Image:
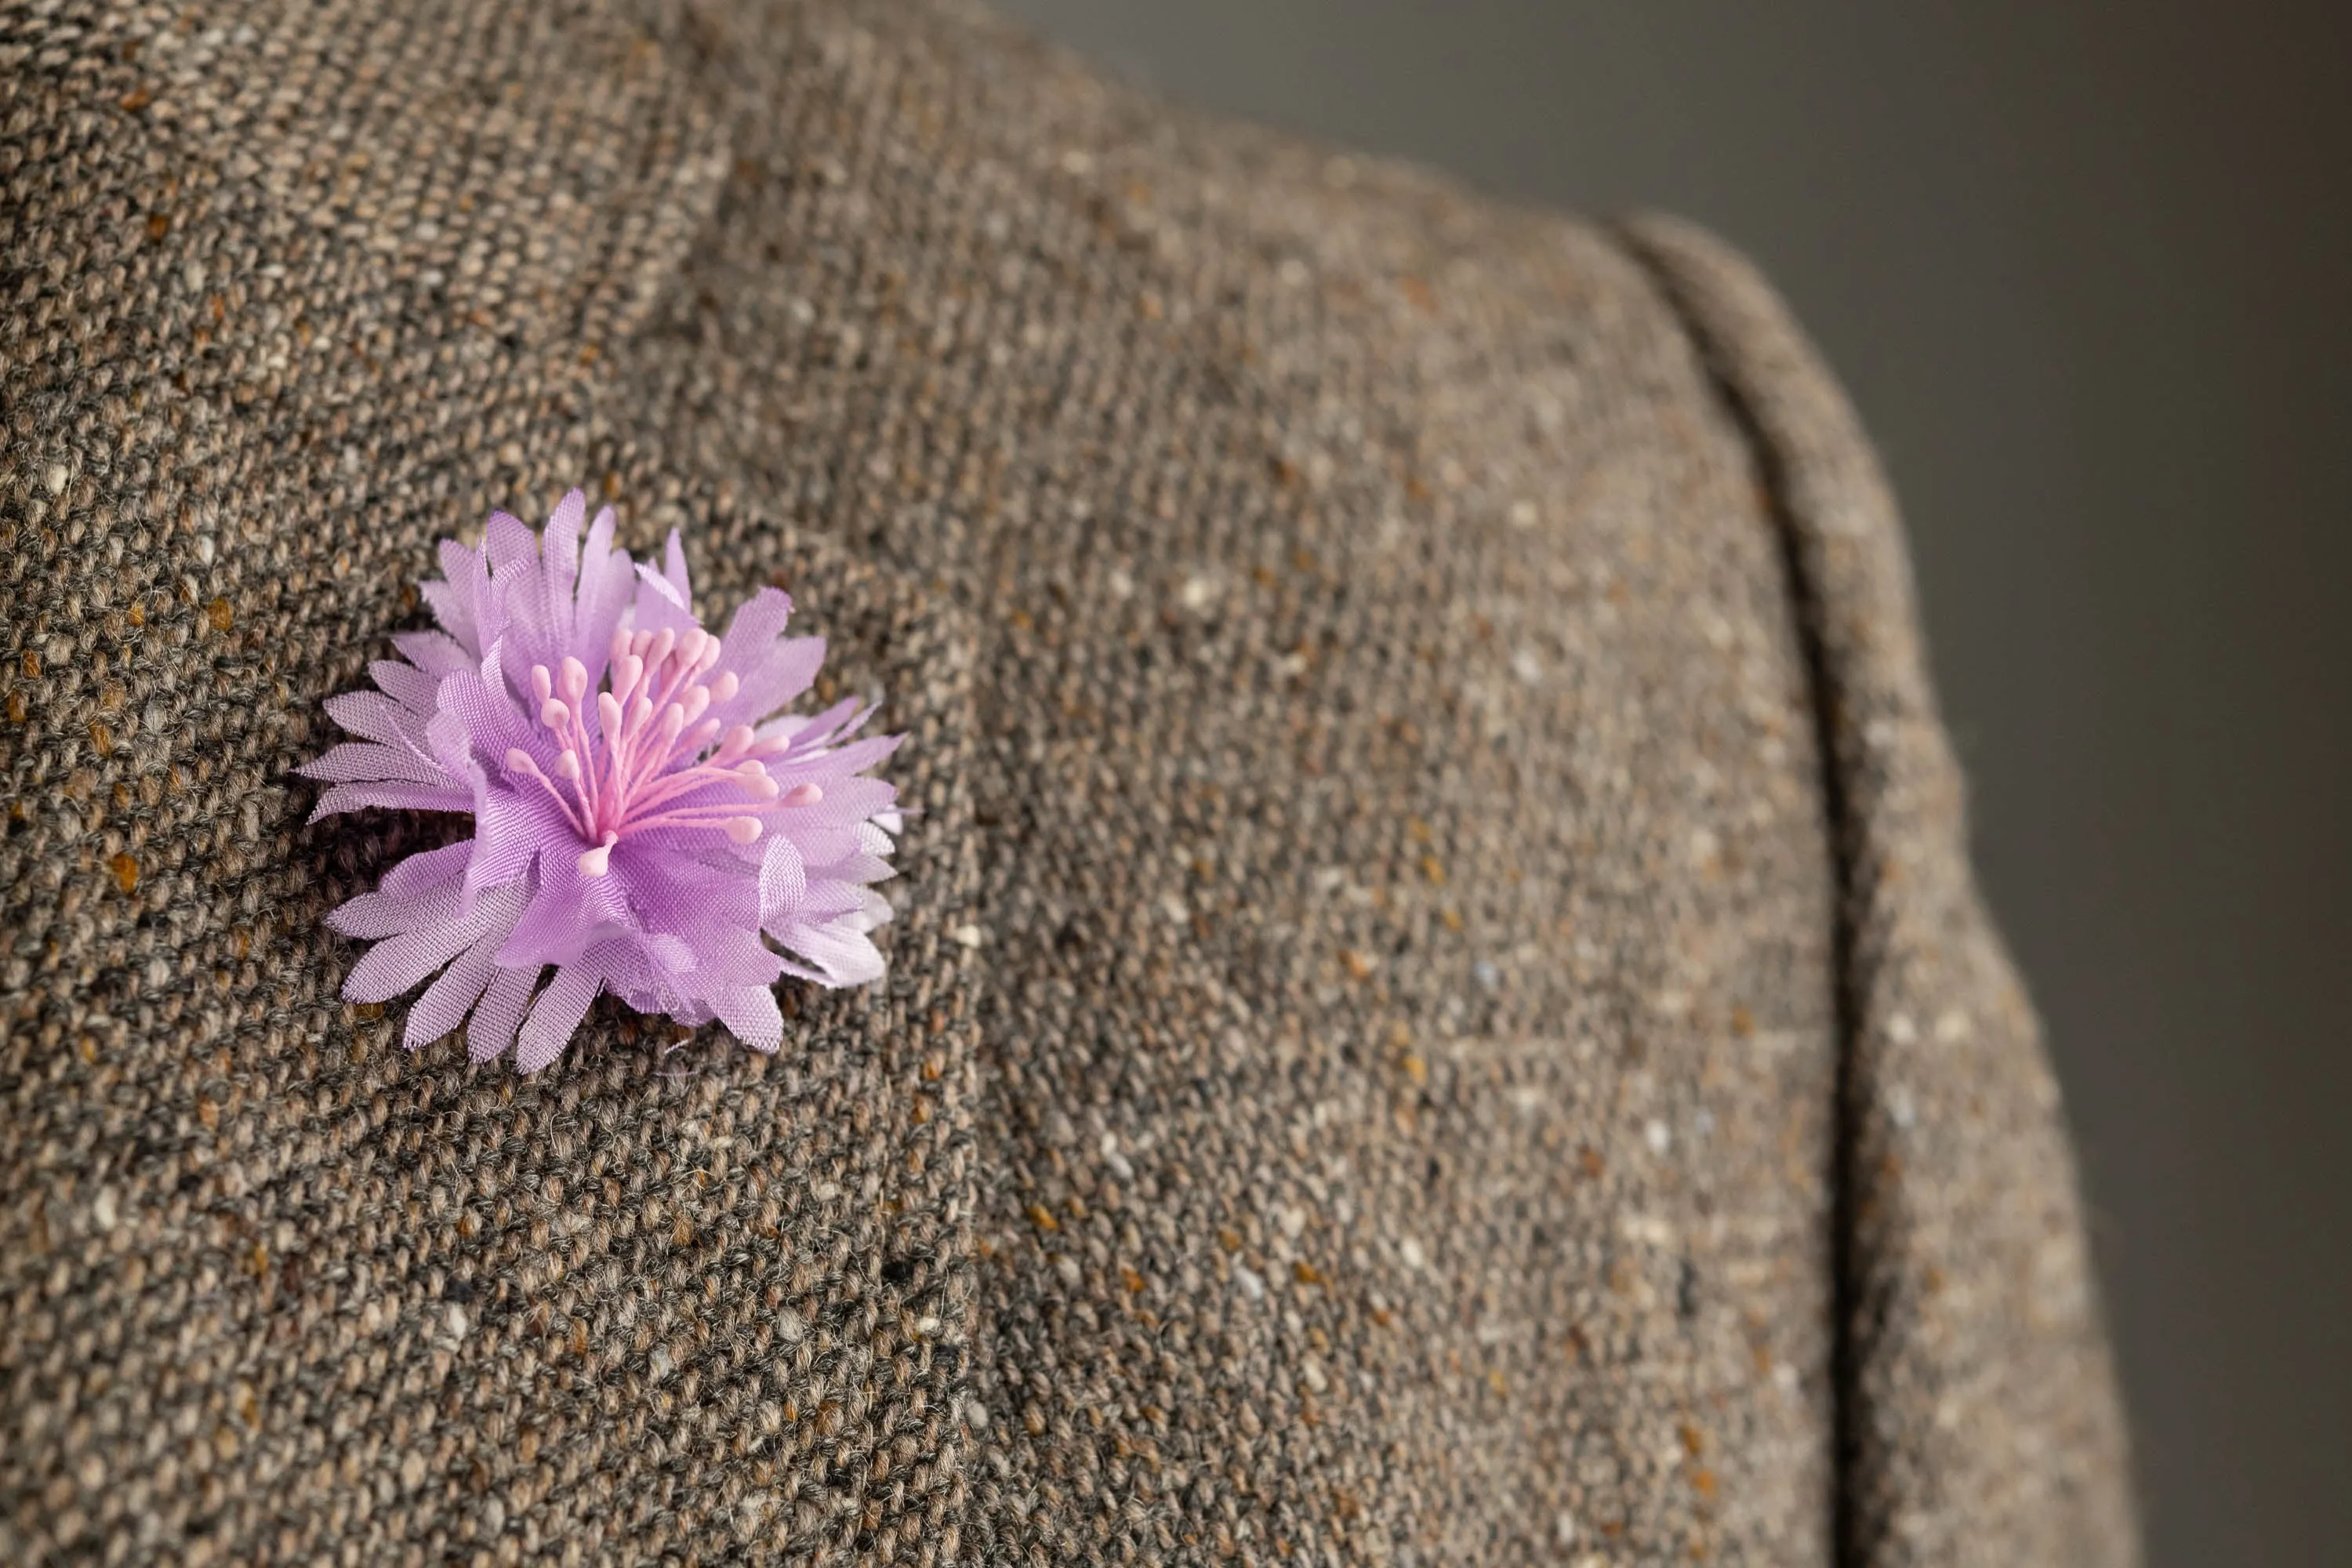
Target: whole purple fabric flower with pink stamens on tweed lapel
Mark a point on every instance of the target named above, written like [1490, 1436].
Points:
[646, 822]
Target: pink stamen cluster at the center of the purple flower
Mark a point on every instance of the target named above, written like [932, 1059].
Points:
[648, 756]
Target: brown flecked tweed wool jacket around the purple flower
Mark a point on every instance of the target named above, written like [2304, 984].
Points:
[1438, 1012]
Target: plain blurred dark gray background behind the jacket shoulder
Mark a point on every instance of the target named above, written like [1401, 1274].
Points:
[2085, 269]
